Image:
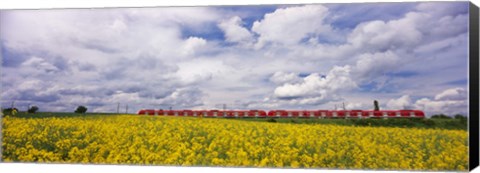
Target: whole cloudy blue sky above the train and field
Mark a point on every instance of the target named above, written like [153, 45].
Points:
[316, 56]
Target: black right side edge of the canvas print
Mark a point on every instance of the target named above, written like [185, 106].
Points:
[474, 152]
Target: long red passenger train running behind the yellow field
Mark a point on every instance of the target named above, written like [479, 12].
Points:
[288, 113]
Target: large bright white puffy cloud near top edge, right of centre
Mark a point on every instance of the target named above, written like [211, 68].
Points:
[288, 26]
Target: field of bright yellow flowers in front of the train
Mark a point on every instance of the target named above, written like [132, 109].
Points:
[146, 140]
